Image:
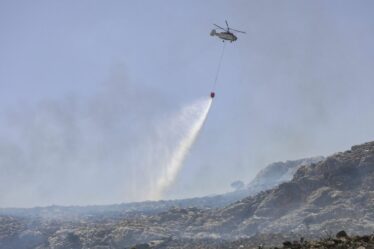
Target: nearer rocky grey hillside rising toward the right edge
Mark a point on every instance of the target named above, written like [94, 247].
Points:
[334, 194]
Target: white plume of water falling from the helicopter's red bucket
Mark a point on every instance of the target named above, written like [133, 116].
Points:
[189, 123]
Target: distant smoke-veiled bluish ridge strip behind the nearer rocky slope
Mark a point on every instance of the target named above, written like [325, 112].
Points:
[271, 176]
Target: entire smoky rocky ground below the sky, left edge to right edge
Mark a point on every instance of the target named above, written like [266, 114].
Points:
[325, 196]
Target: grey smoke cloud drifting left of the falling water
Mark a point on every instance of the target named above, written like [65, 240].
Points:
[80, 151]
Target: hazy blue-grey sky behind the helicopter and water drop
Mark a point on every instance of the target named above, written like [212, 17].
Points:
[88, 88]
